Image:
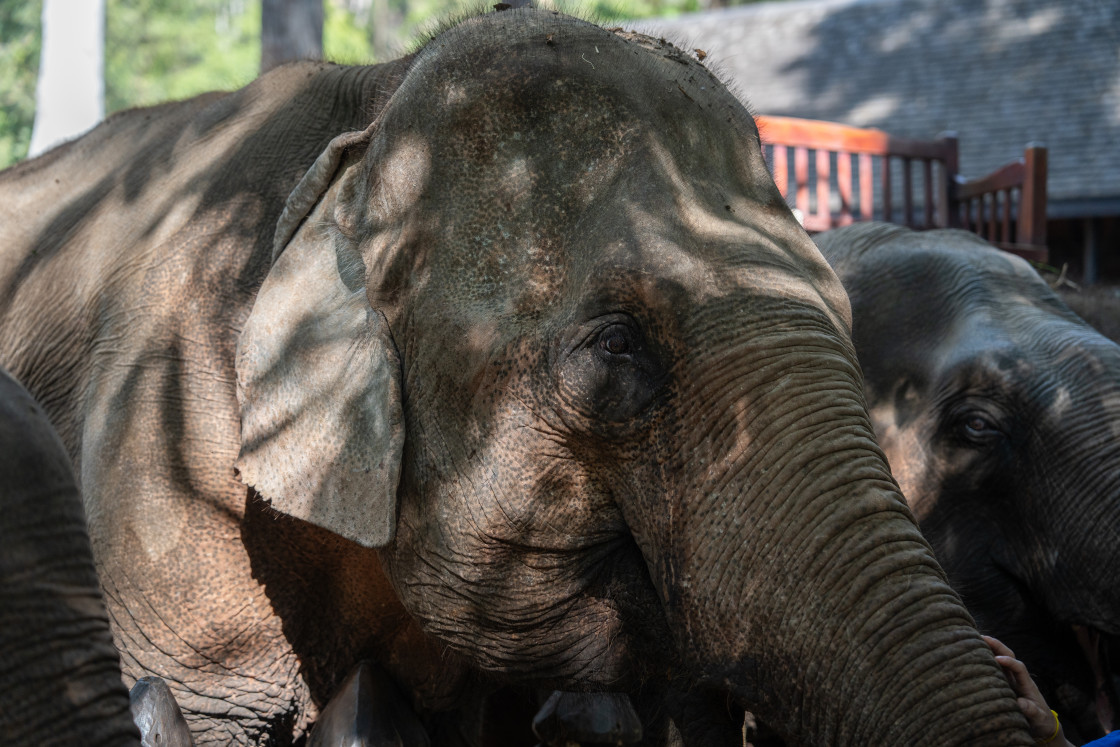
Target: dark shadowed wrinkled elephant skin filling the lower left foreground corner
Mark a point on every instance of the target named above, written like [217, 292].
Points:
[60, 675]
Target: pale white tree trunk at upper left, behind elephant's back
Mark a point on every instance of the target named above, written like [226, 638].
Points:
[70, 96]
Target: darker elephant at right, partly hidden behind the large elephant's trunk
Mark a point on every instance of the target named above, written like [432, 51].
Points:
[1000, 413]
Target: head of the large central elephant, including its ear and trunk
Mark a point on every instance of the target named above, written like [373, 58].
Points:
[547, 337]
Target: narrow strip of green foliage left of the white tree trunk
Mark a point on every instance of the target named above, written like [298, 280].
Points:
[20, 67]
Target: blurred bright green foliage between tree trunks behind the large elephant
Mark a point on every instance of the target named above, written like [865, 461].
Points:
[161, 50]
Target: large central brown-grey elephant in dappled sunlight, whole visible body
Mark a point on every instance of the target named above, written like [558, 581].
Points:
[503, 365]
